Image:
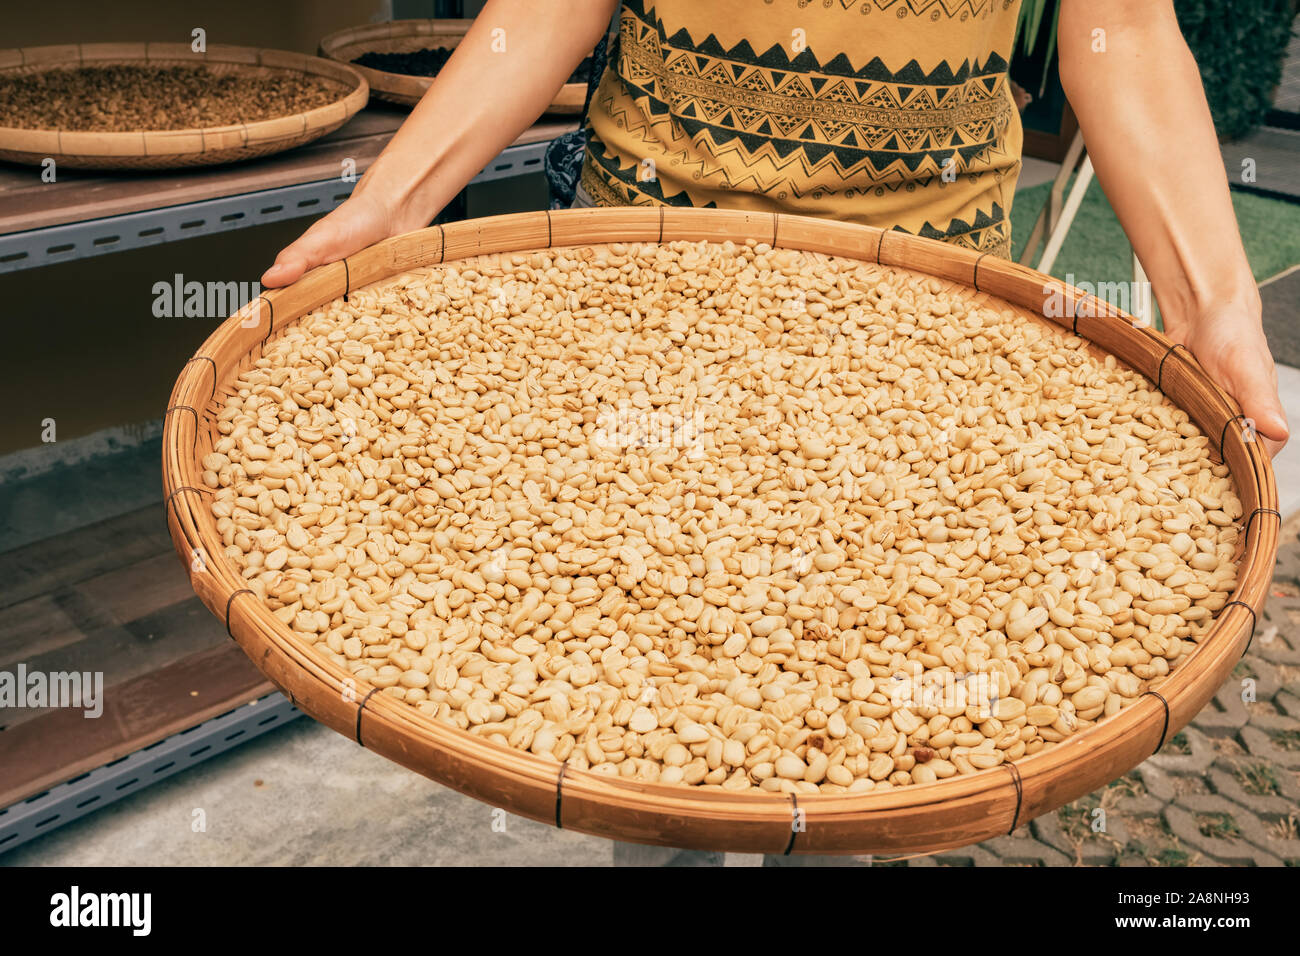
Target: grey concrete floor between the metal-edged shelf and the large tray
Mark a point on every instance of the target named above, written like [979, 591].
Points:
[305, 795]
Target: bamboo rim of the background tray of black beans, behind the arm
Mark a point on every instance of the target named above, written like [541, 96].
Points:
[408, 37]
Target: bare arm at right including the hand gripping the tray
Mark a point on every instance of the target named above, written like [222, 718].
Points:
[1138, 94]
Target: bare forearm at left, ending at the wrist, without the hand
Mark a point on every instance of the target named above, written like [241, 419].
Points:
[482, 102]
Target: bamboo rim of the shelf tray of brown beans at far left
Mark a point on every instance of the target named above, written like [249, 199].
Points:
[181, 148]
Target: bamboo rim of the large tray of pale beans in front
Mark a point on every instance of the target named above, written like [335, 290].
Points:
[950, 814]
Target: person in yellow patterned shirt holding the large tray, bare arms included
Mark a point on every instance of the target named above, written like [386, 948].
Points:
[895, 114]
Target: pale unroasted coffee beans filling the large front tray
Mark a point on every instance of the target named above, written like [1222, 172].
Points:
[721, 516]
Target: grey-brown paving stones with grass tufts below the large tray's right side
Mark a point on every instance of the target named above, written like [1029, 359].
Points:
[1223, 793]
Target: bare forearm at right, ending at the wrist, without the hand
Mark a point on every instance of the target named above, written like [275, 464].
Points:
[1152, 142]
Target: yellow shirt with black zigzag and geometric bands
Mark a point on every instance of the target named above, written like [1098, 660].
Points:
[895, 114]
